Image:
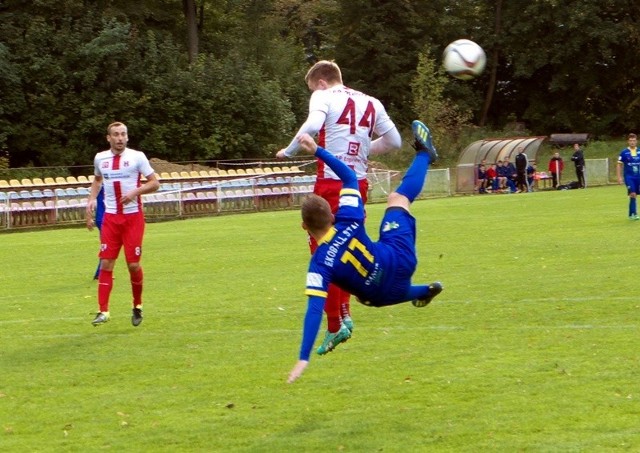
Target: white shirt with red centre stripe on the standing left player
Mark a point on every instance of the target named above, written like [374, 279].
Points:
[120, 174]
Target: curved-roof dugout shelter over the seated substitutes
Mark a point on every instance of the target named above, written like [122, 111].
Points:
[492, 150]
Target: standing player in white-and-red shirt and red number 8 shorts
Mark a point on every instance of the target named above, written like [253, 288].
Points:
[119, 170]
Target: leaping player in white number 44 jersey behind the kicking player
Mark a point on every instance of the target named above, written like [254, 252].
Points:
[345, 122]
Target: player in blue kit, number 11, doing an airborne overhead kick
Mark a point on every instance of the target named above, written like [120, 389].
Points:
[377, 273]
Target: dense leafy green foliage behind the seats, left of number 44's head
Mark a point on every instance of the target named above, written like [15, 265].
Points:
[79, 69]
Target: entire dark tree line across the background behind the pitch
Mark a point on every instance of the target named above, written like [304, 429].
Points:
[211, 80]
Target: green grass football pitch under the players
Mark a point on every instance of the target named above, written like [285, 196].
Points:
[531, 347]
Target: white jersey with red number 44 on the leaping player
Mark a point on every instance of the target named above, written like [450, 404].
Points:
[352, 120]
